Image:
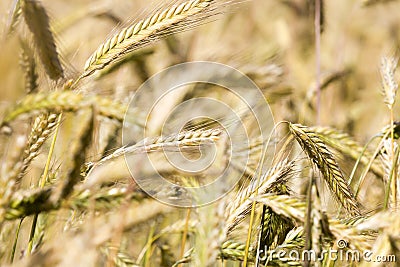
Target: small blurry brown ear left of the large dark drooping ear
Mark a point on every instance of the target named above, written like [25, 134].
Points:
[28, 65]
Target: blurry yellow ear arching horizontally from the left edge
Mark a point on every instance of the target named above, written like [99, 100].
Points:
[61, 101]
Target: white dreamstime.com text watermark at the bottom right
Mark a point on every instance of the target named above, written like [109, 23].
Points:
[341, 253]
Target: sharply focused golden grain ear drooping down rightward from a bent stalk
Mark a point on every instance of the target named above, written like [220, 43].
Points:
[317, 151]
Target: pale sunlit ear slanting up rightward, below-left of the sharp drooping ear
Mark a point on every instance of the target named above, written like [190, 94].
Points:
[272, 181]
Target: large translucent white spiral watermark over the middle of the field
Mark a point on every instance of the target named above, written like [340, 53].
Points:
[232, 113]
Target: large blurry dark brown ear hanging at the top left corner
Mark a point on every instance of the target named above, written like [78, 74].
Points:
[37, 20]
